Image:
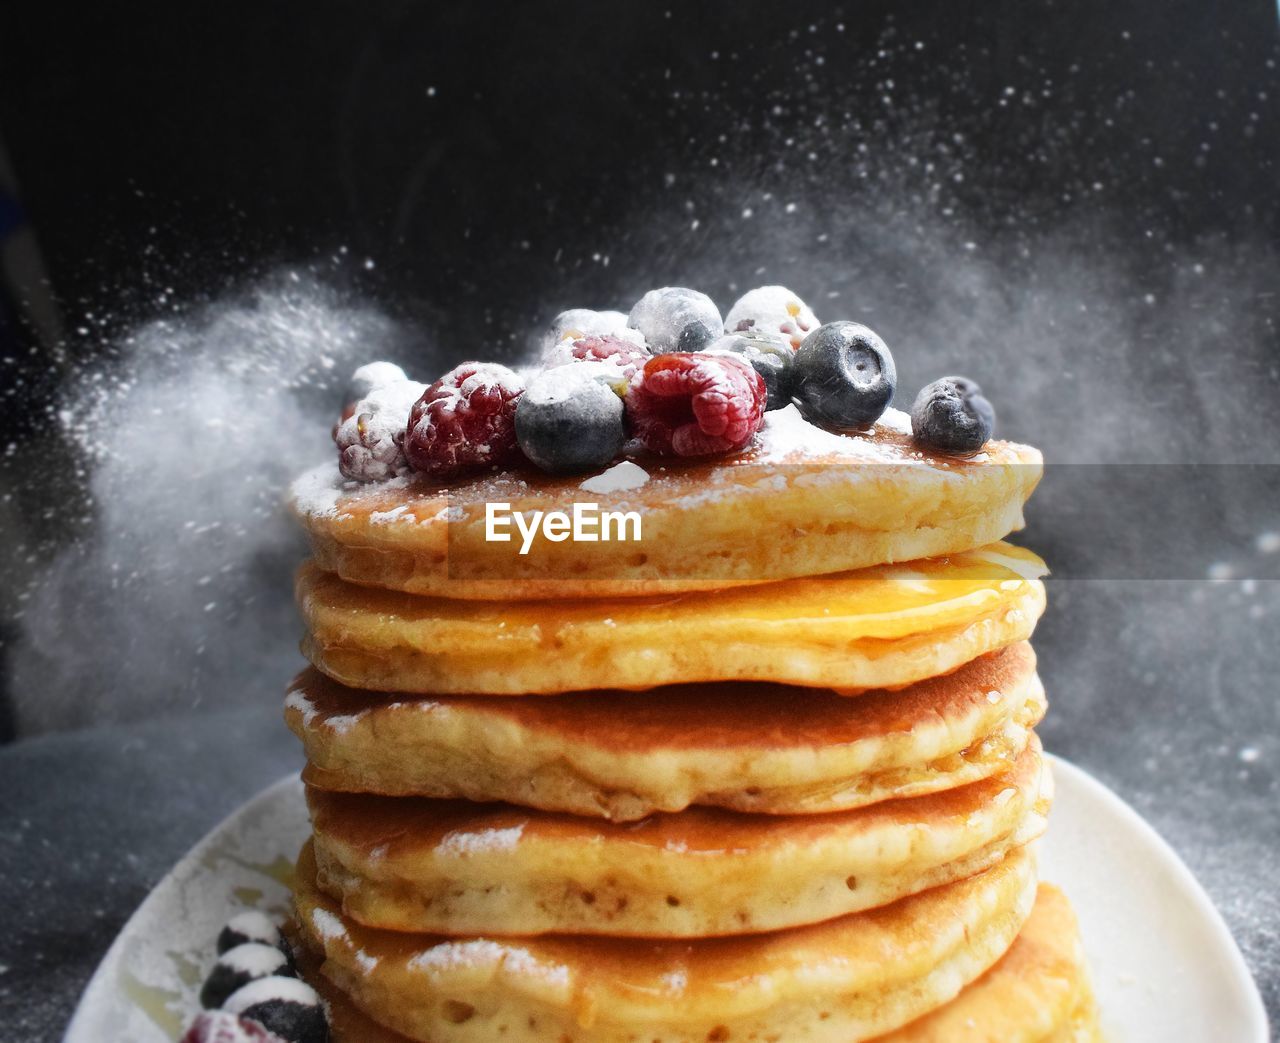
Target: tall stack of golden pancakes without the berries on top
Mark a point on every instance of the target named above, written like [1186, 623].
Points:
[767, 775]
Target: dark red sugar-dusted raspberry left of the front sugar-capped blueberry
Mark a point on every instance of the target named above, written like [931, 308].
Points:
[465, 422]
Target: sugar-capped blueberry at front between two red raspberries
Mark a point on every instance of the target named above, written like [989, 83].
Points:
[570, 419]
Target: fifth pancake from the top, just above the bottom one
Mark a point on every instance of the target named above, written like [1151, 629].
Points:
[848, 980]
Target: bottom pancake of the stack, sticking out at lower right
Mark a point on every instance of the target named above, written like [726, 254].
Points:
[1039, 992]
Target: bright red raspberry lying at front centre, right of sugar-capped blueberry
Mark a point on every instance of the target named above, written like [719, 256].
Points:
[693, 405]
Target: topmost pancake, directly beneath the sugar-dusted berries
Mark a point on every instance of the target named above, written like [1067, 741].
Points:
[801, 502]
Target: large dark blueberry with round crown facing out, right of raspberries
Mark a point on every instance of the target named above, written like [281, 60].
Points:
[844, 377]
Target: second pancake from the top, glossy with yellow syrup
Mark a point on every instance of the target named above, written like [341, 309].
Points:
[877, 628]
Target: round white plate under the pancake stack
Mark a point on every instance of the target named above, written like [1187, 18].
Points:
[1165, 967]
